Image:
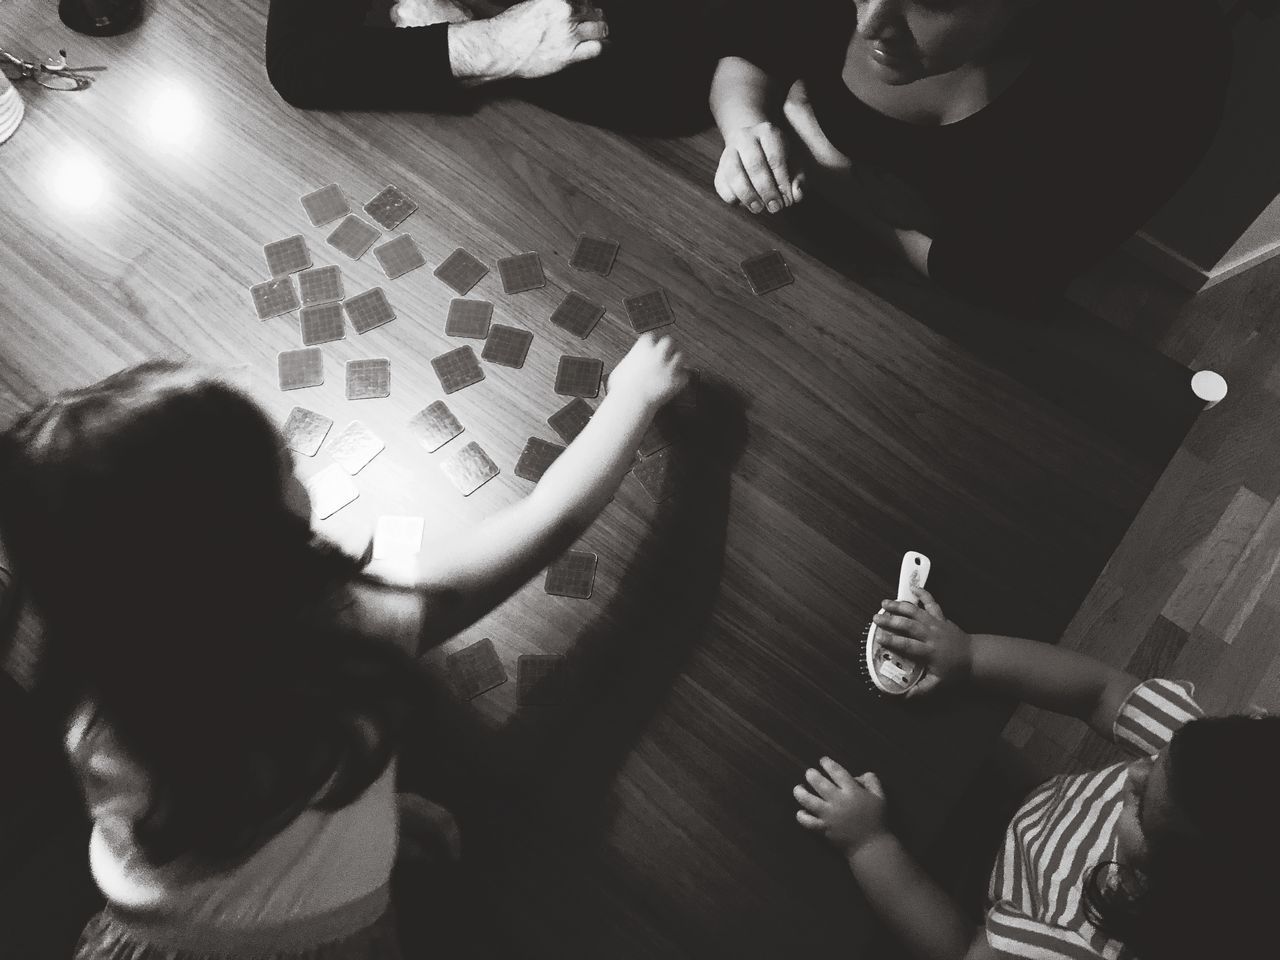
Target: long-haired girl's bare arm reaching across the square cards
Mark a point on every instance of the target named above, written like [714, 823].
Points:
[465, 580]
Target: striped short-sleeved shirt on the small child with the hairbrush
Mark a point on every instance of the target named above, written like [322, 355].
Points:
[1064, 830]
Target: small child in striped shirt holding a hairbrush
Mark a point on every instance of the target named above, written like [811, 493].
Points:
[1165, 858]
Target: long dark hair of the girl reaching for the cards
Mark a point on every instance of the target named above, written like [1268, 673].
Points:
[195, 611]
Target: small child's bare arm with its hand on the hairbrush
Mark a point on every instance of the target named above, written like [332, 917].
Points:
[1037, 674]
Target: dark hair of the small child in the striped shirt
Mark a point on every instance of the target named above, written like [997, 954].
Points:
[1213, 892]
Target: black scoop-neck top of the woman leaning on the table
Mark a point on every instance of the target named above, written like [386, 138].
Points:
[1119, 103]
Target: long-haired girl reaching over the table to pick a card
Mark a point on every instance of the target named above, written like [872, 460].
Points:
[235, 689]
